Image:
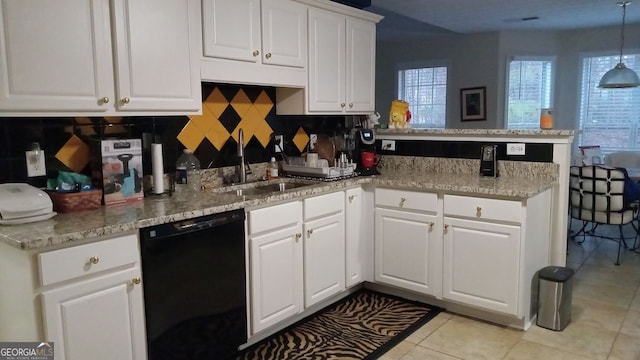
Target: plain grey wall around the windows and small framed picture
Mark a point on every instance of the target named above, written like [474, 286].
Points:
[481, 60]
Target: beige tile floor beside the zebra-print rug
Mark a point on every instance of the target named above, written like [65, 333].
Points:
[605, 320]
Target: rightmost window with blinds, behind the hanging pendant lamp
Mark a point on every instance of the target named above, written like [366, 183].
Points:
[609, 117]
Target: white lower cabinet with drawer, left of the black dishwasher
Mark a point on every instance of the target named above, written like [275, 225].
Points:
[92, 300]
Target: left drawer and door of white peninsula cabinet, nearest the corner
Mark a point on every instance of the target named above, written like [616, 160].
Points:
[407, 241]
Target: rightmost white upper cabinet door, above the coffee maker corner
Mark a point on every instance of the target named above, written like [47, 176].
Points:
[361, 67]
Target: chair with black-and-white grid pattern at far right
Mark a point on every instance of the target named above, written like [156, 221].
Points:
[596, 196]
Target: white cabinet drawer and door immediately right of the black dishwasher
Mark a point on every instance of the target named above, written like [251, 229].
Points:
[276, 254]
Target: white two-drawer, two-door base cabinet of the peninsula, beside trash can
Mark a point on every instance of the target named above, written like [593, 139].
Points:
[478, 252]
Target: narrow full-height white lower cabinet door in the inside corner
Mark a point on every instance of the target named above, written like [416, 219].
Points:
[353, 237]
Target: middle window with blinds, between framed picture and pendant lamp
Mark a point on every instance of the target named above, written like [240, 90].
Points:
[529, 90]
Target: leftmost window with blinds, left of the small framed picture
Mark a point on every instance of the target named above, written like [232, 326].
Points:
[425, 89]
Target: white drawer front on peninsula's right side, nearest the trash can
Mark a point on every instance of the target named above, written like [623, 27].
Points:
[482, 208]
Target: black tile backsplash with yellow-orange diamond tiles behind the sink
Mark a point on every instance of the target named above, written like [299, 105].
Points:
[212, 136]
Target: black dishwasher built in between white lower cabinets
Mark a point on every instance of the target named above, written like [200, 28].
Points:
[195, 287]
